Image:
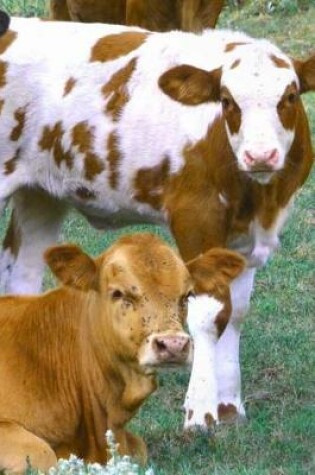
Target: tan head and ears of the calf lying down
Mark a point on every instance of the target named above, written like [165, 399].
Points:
[142, 288]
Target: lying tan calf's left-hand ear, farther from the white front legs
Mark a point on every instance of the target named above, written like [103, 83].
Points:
[72, 267]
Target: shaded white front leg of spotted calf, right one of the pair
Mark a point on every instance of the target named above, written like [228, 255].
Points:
[230, 406]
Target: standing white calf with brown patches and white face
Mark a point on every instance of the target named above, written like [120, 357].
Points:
[206, 133]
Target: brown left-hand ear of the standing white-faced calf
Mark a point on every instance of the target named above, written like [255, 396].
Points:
[190, 85]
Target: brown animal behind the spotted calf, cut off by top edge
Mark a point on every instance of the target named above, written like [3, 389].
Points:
[156, 15]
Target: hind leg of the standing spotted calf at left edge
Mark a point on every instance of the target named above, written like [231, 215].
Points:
[35, 225]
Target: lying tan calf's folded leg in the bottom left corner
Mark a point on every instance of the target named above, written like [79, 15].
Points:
[18, 444]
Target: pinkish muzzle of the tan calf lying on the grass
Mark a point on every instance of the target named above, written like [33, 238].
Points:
[171, 348]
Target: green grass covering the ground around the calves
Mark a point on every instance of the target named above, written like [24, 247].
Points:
[277, 347]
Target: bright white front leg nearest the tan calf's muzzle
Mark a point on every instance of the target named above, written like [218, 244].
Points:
[201, 398]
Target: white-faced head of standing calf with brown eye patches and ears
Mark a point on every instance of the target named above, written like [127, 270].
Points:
[259, 89]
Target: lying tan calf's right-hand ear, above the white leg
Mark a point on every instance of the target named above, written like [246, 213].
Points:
[213, 271]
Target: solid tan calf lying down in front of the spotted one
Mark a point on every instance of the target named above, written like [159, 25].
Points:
[81, 359]
